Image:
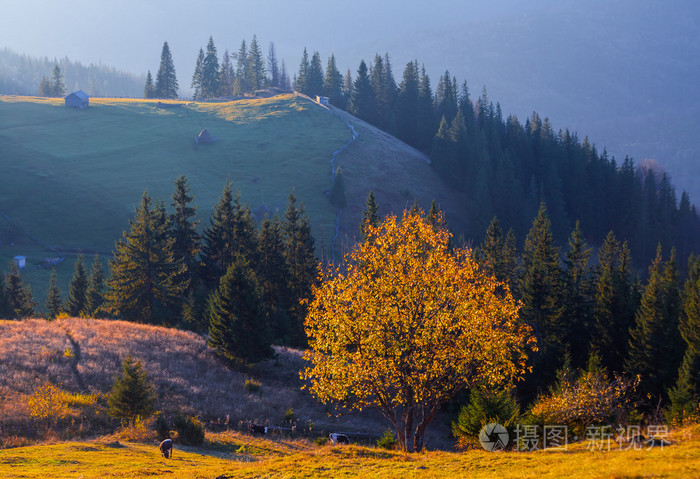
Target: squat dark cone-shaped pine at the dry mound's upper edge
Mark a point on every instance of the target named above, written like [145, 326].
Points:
[238, 329]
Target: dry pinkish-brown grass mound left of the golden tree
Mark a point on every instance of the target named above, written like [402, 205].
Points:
[189, 378]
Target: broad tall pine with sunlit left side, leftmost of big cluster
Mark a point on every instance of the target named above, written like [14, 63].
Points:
[146, 282]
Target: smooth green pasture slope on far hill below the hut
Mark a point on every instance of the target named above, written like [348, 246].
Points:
[71, 178]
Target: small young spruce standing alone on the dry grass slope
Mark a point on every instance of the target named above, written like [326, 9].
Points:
[132, 398]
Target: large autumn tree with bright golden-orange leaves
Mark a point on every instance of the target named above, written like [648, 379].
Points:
[406, 322]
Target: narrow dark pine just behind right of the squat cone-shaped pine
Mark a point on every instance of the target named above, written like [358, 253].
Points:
[273, 275]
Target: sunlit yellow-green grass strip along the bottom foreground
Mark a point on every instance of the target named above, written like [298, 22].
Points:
[240, 456]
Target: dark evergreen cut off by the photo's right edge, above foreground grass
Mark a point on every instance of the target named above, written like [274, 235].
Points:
[685, 395]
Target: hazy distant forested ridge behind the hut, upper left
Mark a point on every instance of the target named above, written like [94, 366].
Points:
[22, 74]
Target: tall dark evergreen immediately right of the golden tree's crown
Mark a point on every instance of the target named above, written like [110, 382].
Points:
[540, 288]
